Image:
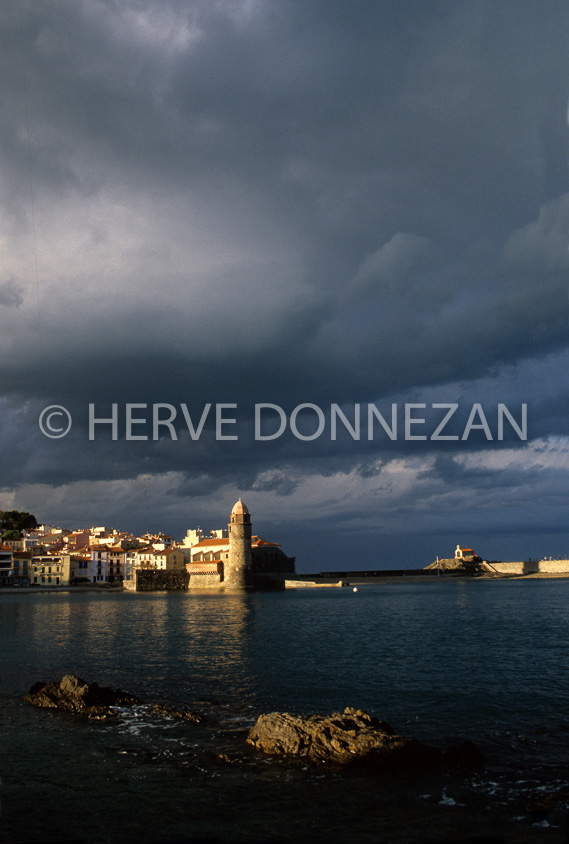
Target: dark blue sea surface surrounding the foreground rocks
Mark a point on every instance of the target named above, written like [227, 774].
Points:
[442, 661]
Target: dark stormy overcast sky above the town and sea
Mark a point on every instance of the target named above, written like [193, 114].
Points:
[288, 202]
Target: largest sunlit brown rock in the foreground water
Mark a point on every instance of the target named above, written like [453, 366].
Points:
[341, 739]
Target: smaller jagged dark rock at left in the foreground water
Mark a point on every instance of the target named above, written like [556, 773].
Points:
[76, 695]
